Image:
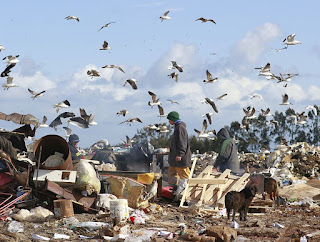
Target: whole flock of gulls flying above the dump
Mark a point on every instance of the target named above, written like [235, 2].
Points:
[84, 120]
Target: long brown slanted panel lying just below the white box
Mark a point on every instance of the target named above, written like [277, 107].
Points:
[86, 202]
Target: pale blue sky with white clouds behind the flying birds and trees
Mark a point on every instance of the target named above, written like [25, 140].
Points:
[55, 55]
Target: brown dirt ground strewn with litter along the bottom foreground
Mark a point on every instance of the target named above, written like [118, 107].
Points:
[297, 221]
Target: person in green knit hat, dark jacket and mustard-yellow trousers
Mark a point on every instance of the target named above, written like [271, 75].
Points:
[179, 157]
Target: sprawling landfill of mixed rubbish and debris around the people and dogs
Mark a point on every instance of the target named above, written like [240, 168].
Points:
[106, 197]
